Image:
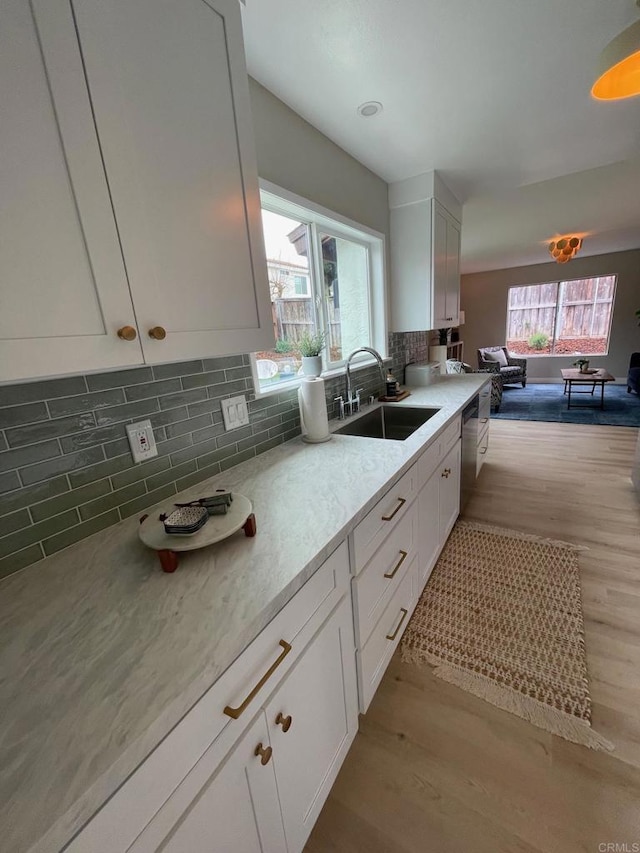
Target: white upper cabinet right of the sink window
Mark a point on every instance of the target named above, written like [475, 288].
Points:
[425, 254]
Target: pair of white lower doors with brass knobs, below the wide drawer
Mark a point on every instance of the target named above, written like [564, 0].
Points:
[267, 793]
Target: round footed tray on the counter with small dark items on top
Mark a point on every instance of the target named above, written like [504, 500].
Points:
[218, 524]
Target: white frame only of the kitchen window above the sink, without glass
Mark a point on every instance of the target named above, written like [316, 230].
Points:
[328, 222]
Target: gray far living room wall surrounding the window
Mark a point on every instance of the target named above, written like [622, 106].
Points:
[484, 301]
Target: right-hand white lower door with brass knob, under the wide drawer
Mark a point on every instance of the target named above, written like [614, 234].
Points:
[320, 697]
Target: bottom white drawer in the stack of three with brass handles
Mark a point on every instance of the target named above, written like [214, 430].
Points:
[376, 654]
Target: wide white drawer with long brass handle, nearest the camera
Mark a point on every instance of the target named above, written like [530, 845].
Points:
[261, 665]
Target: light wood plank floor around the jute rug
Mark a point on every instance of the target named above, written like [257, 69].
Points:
[436, 770]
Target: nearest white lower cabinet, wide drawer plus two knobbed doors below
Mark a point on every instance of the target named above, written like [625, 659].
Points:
[250, 766]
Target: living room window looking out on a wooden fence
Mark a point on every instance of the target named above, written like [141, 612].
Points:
[561, 317]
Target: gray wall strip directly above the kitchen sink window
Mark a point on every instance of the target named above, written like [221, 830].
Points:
[297, 157]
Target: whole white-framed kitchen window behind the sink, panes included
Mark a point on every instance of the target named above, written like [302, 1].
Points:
[326, 274]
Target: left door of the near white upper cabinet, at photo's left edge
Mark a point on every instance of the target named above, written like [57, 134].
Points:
[64, 288]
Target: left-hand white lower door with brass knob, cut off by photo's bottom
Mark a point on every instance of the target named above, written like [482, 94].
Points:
[237, 808]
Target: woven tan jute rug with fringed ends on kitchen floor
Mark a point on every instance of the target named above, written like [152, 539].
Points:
[501, 617]
